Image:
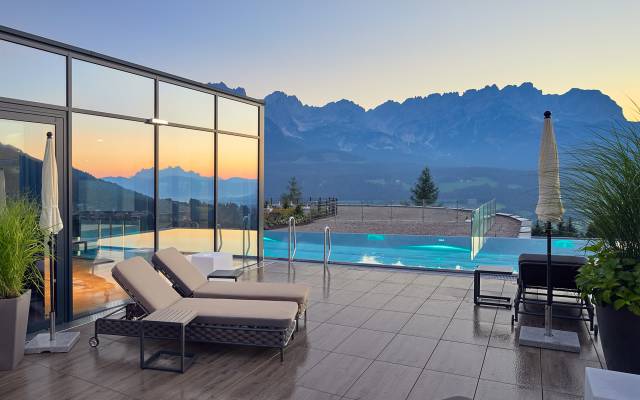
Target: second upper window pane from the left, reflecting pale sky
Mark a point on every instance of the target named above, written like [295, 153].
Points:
[110, 90]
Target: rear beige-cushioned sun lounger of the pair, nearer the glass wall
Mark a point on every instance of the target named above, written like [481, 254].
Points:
[189, 282]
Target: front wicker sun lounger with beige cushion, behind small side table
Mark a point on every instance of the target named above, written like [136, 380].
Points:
[243, 322]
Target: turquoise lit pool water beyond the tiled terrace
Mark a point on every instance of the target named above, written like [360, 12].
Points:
[451, 252]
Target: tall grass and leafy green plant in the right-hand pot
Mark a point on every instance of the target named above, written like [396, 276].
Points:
[604, 187]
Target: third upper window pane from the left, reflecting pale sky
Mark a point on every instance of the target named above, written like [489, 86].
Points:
[186, 106]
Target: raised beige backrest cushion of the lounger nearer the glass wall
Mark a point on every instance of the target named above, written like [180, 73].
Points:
[176, 266]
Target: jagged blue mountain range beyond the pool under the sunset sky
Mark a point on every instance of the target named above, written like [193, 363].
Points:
[480, 144]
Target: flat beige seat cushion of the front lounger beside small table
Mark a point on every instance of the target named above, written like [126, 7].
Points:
[275, 314]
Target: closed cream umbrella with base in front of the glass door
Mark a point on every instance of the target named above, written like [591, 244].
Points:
[51, 224]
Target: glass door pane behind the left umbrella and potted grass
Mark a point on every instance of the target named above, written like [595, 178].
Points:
[21, 153]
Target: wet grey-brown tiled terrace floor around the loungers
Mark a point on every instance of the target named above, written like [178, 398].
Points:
[372, 334]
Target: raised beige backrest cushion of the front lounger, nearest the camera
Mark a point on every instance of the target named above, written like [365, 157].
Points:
[144, 284]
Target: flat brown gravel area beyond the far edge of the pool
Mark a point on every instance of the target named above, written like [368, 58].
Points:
[407, 221]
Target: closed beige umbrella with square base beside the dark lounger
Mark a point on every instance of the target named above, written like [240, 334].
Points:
[549, 209]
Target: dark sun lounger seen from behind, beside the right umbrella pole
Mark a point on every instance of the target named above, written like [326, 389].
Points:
[532, 287]
